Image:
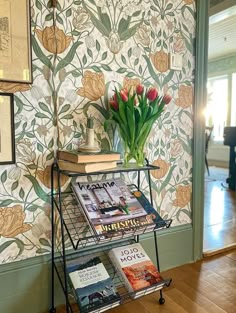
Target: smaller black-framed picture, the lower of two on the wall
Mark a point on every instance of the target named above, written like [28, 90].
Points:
[7, 130]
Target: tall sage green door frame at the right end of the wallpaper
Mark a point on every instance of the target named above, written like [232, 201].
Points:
[202, 24]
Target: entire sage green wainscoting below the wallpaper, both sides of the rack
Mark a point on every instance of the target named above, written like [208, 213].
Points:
[25, 285]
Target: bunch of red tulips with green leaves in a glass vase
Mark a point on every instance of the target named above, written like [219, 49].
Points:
[135, 115]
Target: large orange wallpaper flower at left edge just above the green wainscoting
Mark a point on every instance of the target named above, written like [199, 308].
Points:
[12, 221]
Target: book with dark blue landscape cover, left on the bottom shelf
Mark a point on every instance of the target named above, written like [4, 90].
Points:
[93, 287]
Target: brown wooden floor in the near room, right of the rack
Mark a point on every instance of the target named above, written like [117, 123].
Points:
[208, 286]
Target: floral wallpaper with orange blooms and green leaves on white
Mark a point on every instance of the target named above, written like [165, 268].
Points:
[81, 50]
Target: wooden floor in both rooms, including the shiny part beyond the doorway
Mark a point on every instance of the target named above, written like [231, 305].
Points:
[208, 286]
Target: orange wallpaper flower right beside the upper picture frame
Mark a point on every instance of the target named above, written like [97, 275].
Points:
[53, 39]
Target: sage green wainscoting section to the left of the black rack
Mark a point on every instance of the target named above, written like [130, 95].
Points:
[25, 286]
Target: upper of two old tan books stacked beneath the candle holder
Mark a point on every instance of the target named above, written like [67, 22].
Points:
[86, 157]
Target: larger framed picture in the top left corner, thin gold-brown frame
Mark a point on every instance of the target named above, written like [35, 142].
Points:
[15, 41]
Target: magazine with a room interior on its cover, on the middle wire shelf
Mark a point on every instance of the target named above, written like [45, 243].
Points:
[110, 206]
